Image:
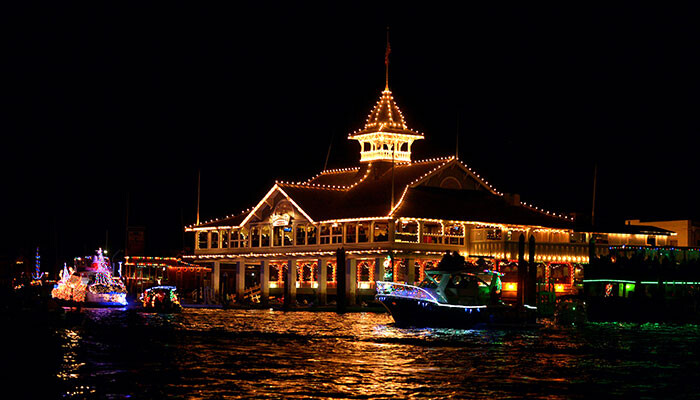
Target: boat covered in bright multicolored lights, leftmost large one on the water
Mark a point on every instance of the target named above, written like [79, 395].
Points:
[90, 283]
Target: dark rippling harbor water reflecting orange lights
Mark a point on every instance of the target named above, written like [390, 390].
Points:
[264, 354]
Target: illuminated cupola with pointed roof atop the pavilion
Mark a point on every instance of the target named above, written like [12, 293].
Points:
[385, 136]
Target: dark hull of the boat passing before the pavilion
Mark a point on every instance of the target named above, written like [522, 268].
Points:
[422, 313]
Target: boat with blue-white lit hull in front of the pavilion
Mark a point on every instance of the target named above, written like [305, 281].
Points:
[454, 294]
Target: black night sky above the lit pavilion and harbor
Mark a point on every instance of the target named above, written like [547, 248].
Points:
[105, 100]
